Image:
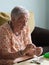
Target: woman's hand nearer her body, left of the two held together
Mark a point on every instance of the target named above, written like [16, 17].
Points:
[30, 50]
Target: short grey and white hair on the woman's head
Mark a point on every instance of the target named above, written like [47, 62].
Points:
[16, 11]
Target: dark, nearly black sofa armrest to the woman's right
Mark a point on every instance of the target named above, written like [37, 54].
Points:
[40, 37]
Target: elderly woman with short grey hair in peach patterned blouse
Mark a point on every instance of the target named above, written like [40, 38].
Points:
[15, 37]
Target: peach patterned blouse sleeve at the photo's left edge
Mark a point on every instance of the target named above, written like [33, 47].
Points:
[4, 41]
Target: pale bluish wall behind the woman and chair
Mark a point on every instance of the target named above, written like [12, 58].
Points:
[37, 6]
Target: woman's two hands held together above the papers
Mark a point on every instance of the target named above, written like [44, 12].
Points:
[32, 50]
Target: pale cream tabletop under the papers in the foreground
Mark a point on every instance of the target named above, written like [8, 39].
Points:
[28, 62]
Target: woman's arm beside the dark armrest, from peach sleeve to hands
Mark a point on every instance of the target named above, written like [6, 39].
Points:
[31, 49]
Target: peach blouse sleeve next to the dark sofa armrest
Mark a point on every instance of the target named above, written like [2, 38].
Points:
[27, 36]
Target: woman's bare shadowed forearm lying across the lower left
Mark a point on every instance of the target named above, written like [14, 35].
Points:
[10, 55]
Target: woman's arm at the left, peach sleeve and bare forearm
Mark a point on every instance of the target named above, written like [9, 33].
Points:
[5, 47]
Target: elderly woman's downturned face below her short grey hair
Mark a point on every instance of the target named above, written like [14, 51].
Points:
[21, 21]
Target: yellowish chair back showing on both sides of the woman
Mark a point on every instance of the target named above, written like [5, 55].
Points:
[4, 17]
